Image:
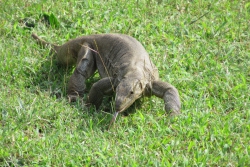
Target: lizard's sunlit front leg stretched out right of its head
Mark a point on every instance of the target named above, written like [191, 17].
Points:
[168, 93]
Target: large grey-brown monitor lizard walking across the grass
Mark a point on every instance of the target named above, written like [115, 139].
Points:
[124, 66]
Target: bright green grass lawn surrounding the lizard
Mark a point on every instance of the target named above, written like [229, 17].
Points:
[201, 47]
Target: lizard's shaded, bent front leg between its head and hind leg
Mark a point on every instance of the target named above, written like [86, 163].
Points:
[104, 86]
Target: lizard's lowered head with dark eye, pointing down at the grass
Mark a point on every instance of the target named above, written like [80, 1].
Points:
[127, 92]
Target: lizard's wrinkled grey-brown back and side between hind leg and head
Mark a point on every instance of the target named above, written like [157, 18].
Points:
[121, 53]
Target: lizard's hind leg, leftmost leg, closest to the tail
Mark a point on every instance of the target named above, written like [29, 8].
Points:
[85, 67]
